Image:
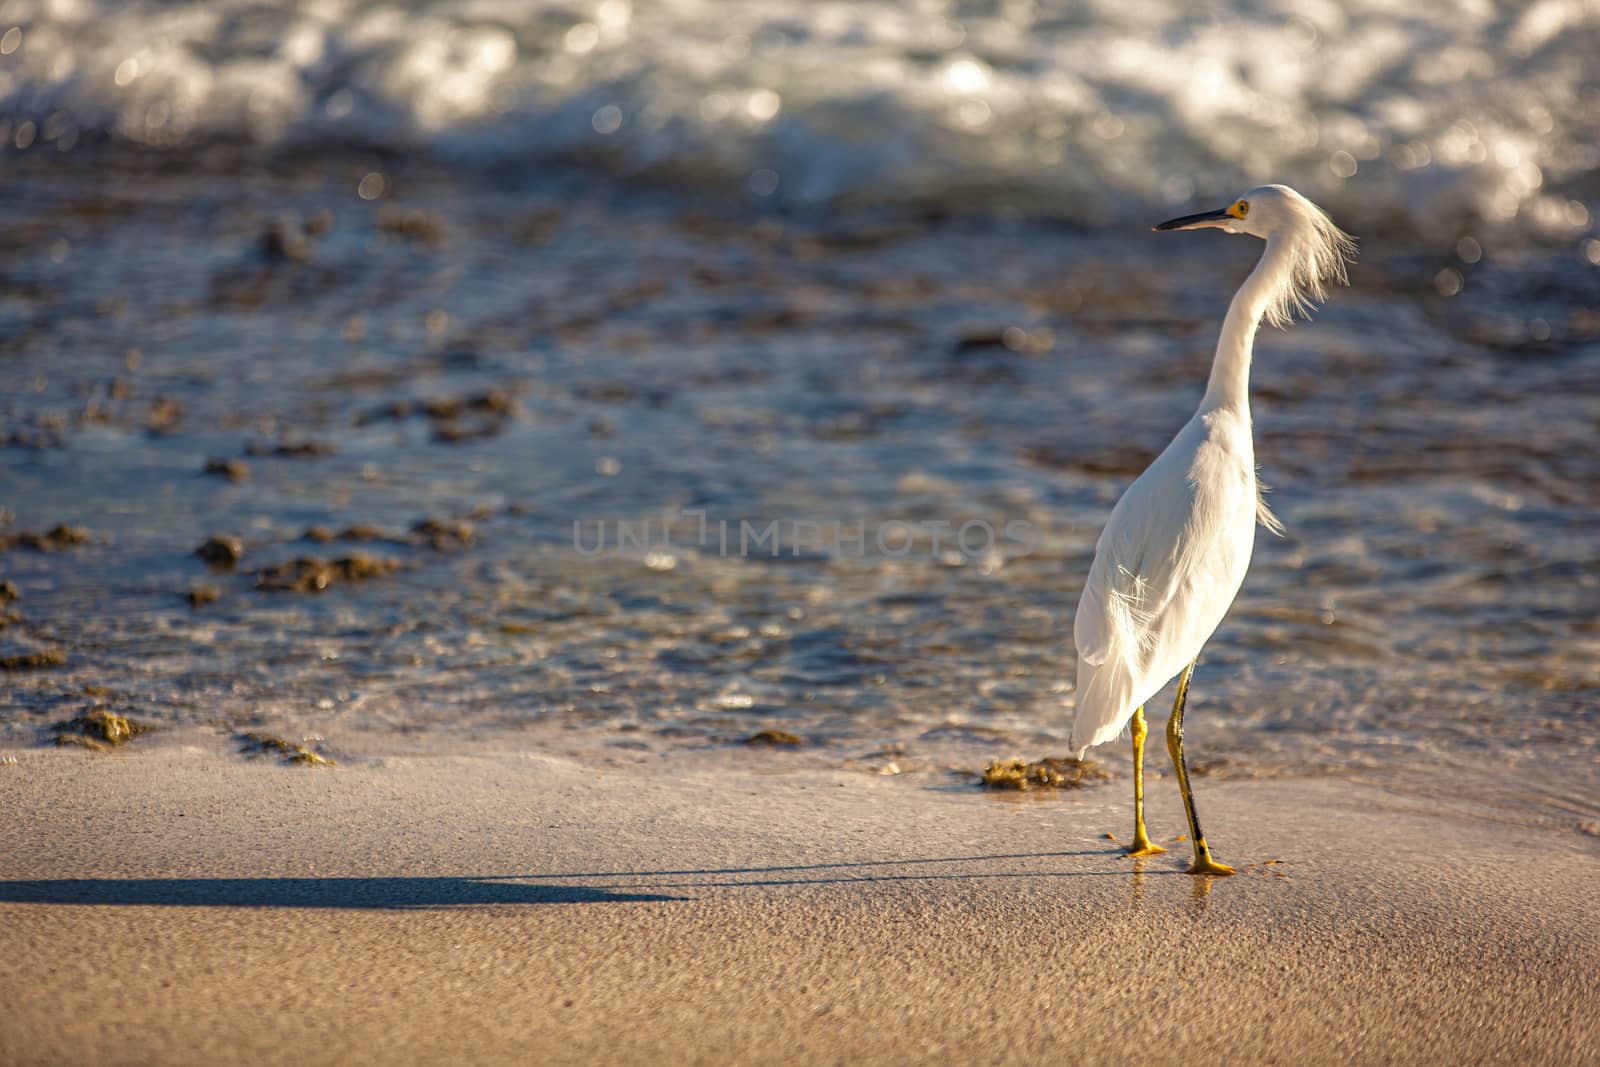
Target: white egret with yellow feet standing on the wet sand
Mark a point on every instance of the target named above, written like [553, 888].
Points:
[1177, 546]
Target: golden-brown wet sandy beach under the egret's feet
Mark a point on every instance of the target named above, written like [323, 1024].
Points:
[177, 903]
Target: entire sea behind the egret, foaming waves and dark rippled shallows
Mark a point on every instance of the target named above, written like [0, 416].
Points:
[775, 367]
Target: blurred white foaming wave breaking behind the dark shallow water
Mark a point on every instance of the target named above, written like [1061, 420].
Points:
[1444, 118]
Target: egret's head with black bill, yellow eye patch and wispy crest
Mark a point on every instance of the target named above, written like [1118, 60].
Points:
[1314, 250]
